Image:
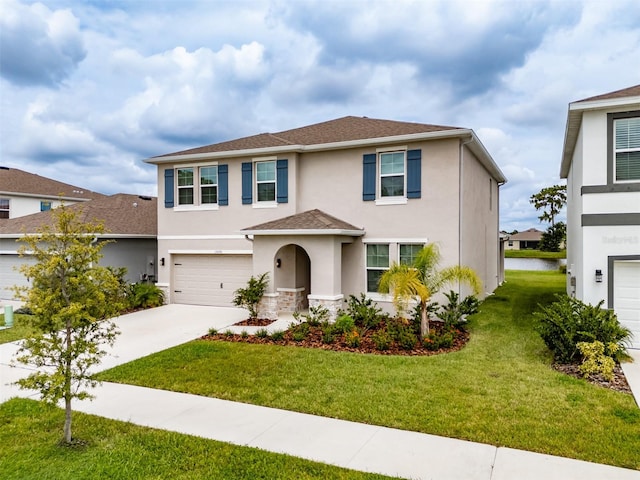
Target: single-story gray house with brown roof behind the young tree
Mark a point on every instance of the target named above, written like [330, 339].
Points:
[129, 220]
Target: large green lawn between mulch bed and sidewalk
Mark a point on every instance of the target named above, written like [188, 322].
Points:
[500, 389]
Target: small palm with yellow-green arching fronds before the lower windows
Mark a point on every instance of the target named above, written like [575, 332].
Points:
[422, 280]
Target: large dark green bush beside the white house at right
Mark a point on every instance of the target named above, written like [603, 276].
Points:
[568, 321]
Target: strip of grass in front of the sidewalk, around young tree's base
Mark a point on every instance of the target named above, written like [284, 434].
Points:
[29, 442]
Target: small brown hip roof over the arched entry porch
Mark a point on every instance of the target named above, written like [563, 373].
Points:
[309, 222]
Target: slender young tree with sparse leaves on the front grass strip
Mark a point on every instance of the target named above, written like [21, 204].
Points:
[72, 299]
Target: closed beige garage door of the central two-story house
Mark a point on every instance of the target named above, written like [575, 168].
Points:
[209, 279]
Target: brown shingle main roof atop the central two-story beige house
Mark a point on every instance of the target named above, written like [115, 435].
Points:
[339, 130]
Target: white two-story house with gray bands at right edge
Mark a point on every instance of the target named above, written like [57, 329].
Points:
[601, 162]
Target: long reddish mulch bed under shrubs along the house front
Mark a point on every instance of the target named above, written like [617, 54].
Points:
[367, 345]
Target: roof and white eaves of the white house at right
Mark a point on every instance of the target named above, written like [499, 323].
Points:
[619, 98]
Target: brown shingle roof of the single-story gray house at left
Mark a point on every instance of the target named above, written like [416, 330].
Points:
[123, 215]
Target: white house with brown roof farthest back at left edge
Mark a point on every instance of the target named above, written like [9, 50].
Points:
[23, 193]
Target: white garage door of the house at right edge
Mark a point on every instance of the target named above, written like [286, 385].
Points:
[626, 297]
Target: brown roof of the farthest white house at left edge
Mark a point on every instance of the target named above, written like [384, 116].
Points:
[18, 182]
